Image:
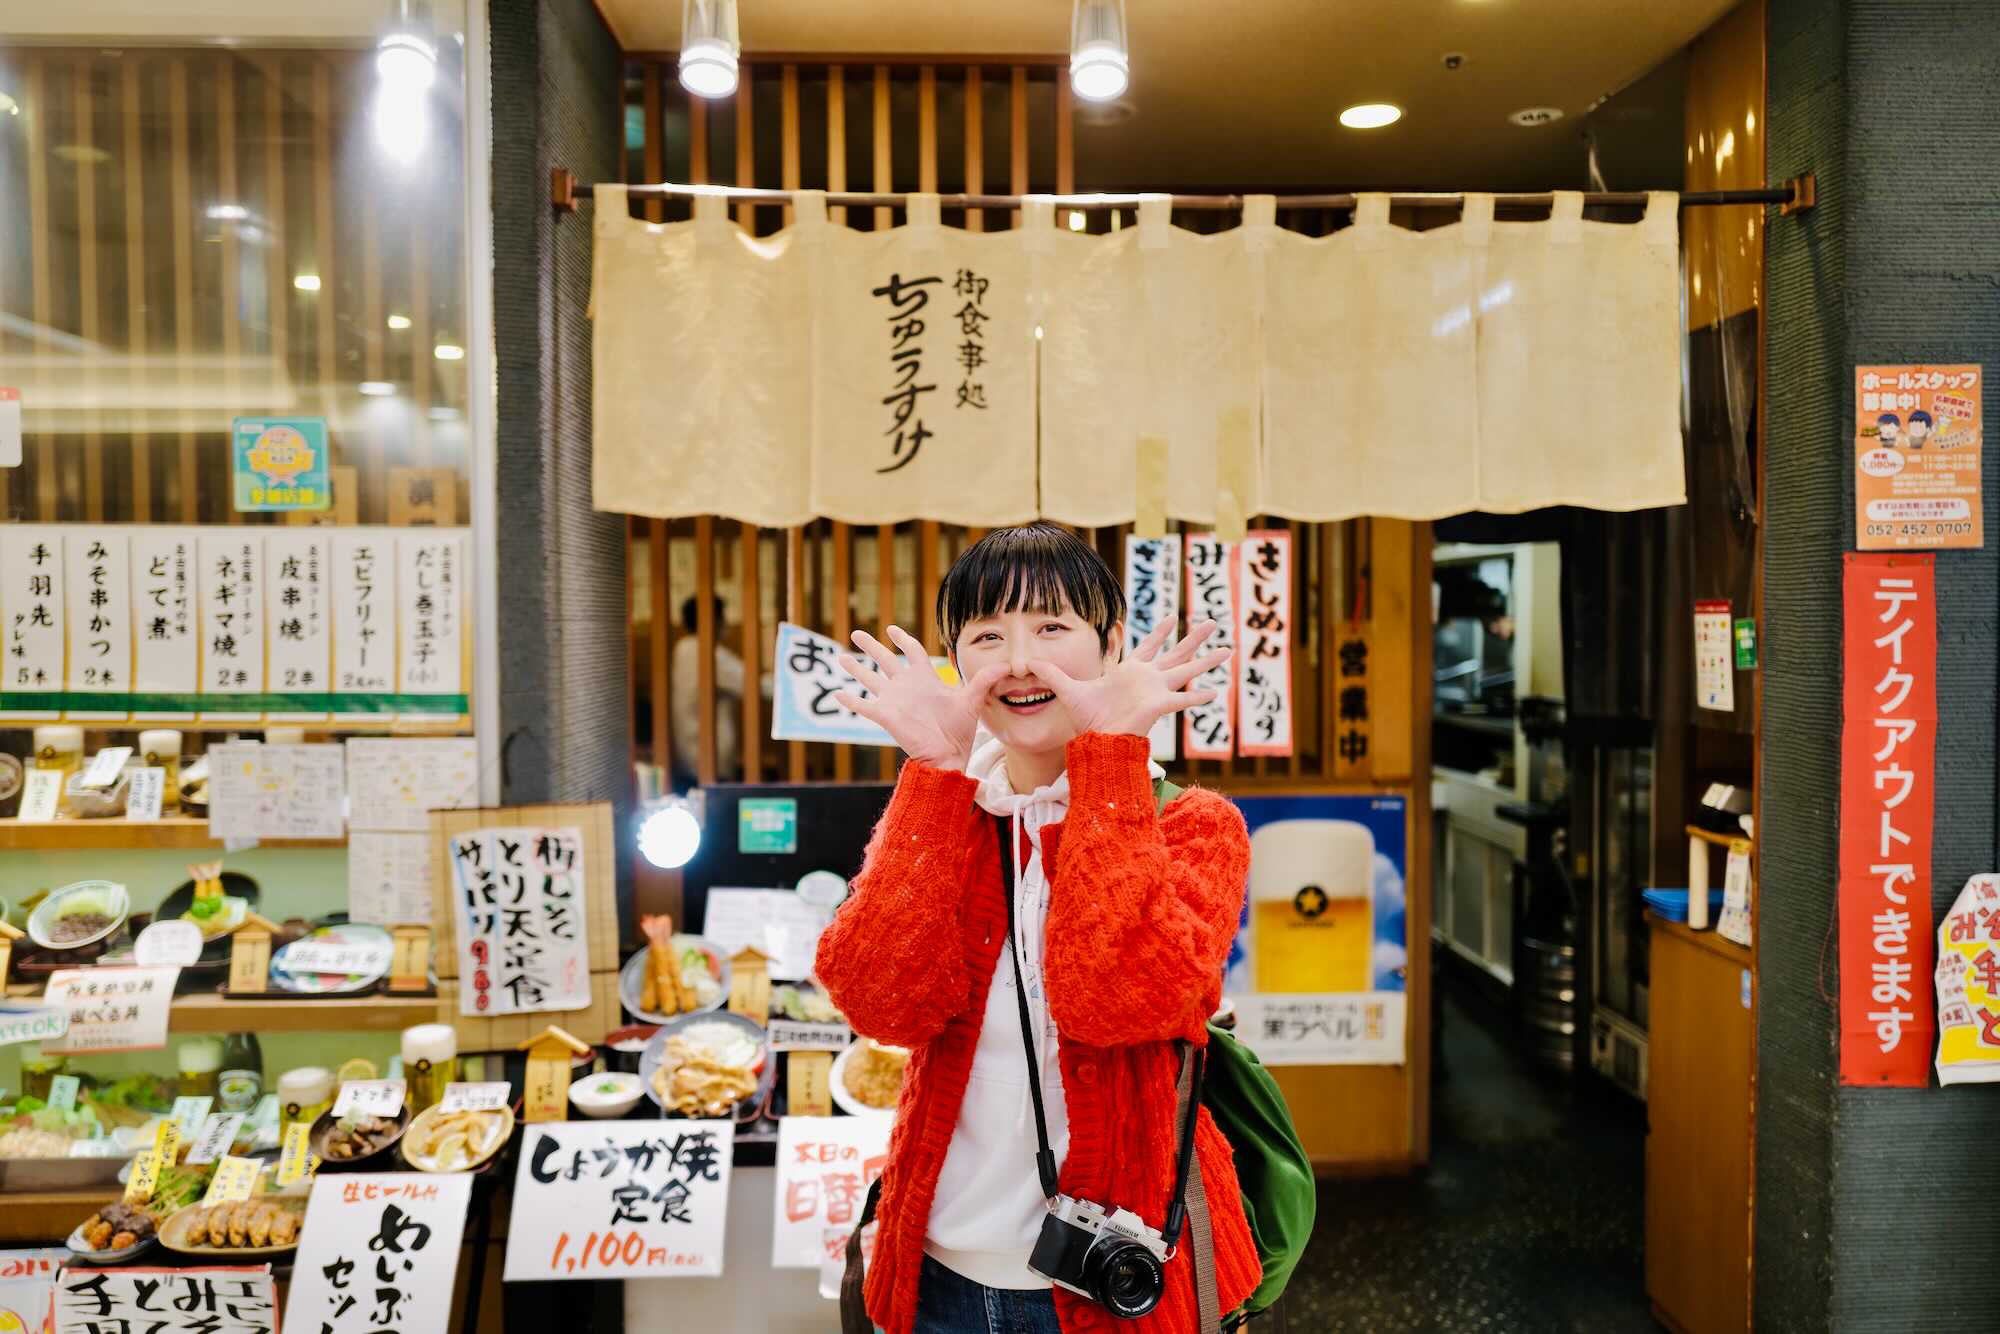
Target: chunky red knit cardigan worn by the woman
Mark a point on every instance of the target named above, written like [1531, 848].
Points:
[1141, 915]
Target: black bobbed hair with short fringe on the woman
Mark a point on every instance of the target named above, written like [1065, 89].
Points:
[1035, 567]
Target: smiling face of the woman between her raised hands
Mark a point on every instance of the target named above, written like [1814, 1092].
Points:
[1023, 713]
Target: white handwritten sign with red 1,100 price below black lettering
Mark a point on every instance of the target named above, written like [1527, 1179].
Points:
[621, 1199]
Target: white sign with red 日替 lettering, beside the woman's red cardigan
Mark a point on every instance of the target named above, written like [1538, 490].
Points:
[825, 1169]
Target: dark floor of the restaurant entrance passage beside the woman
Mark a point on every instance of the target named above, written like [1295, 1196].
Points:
[1529, 1217]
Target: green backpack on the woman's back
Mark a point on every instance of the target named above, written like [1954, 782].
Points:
[1271, 1165]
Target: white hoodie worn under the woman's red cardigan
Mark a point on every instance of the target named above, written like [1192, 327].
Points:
[989, 1207]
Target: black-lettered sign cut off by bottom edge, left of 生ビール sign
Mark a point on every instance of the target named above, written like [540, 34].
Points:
[195, 1301]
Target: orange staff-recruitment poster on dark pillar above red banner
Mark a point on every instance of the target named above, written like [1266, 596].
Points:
[1917, 459]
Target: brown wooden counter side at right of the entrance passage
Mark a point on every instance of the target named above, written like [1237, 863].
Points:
[1699, 1109]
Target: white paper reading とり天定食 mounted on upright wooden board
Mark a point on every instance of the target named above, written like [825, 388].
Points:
[523, 941]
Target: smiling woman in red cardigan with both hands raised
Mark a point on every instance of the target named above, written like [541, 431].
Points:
[1121, 925]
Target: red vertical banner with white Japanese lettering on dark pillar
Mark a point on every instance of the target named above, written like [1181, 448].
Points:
[1889, 743]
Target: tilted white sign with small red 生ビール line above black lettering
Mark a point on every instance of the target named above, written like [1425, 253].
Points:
[379, 1253]
